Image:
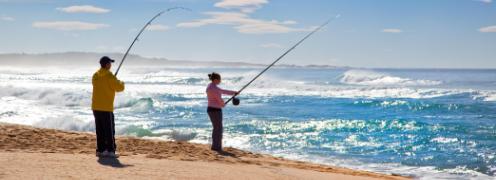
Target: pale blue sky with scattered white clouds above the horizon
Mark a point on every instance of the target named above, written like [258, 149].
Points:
[369, 34]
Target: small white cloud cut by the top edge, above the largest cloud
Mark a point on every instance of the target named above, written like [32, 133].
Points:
[246, 6]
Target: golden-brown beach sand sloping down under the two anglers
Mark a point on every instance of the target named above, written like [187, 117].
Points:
[34, 153]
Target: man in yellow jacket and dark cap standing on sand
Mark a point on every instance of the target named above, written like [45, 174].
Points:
[105, 85]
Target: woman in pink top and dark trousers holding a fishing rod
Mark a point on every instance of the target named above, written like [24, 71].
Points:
[214, 110]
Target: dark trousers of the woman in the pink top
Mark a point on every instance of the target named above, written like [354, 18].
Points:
[216, 119]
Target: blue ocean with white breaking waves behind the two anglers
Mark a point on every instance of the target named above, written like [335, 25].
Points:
[427, 123]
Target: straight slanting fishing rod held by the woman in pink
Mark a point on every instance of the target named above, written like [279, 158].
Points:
[236, 101]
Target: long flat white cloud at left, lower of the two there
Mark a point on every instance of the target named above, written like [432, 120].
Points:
[69, 25]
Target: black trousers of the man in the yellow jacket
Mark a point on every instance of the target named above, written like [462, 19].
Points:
[105, 132]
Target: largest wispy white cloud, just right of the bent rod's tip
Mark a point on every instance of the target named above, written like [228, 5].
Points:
[243, 23]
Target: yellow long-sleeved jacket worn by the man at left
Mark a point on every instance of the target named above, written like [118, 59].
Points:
[105, 84]
